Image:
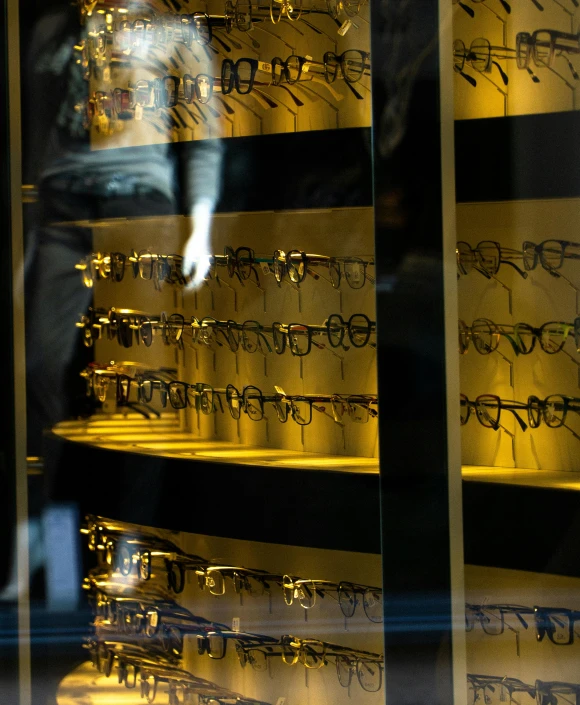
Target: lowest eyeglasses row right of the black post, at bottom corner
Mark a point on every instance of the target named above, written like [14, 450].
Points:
[497, 690]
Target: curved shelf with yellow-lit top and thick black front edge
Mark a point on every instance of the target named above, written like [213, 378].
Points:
[150, 472]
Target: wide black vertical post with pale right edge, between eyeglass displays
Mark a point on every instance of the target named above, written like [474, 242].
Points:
[414, 199]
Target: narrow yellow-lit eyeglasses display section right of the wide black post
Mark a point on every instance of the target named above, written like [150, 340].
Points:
[516, 473]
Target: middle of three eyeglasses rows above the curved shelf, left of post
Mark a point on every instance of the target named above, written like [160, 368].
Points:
[128, 326]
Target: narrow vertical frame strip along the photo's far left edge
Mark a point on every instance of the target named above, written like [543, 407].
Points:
[13, 470]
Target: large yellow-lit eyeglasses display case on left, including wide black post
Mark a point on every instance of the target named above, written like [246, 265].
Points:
[238, 236]
